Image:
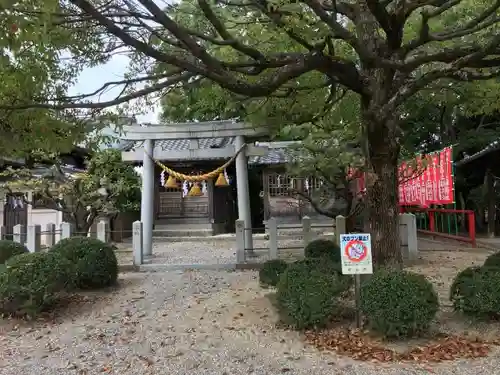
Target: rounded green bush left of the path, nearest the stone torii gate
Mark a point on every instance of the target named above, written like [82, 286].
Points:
[94, 262]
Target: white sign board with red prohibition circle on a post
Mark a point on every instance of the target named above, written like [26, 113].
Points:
[356, 254]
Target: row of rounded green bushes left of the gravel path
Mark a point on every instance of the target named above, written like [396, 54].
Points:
[29, 282]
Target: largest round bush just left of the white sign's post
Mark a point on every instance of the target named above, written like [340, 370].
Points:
[307, 293]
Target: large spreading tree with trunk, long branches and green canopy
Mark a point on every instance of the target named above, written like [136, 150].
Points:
[382, 52]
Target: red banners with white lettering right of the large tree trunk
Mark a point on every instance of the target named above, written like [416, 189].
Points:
[430, 183]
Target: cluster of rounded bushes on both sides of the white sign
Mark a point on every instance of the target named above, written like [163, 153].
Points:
[309, 291]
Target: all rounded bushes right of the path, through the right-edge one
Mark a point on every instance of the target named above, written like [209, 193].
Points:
[394, 303]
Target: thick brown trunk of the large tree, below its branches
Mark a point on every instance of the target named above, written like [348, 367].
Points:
[382, 189]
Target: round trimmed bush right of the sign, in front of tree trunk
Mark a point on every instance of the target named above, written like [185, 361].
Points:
[398, 303]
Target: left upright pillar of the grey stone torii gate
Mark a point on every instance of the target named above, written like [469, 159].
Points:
[147, 197]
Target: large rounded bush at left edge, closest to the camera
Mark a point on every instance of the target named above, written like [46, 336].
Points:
[30, 282]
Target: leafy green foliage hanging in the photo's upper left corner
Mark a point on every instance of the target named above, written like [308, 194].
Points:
[32, 67]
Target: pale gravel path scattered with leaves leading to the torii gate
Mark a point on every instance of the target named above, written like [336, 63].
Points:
[204, 322]
